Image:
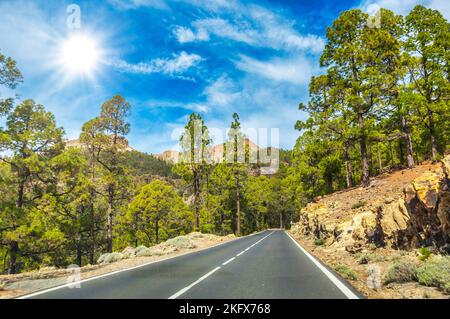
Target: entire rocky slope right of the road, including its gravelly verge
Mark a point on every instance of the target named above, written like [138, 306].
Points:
[401, 217]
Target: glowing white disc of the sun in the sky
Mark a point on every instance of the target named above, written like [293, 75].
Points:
[80, 54]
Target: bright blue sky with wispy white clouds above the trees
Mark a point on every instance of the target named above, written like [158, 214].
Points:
[169, 58]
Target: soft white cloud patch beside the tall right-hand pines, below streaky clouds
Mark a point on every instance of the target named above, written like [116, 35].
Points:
[297, 70]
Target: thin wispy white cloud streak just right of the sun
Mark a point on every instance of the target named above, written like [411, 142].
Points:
[179, 63]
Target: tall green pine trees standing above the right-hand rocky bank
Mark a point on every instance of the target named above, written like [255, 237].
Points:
[382, 101]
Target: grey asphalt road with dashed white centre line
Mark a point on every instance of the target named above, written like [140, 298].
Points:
[265, 265]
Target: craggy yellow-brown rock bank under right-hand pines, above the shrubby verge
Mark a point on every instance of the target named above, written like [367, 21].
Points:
[417, 215]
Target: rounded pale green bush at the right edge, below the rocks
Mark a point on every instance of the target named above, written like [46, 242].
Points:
[435, 272]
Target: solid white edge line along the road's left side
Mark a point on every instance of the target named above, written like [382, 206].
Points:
[40, 292]
